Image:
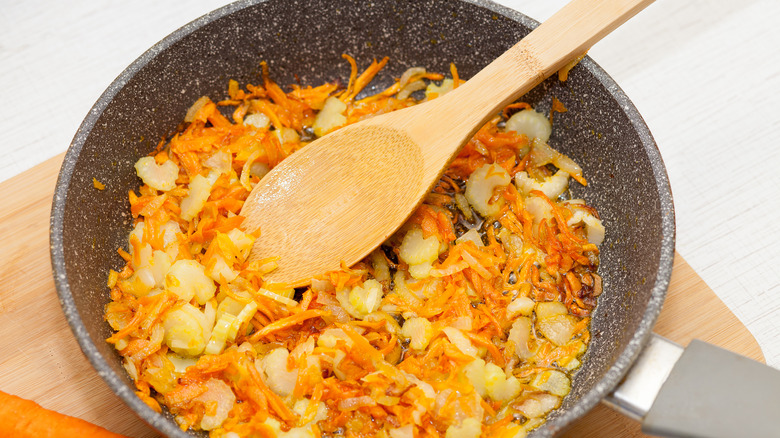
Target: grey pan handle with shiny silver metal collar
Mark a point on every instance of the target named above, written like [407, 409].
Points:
[701, 391]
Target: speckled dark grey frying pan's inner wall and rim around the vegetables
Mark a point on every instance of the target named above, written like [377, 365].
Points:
[302, 41]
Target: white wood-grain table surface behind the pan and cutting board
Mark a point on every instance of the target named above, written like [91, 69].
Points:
[705, 74]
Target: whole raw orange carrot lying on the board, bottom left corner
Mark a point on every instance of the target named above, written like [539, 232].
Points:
[21, 418]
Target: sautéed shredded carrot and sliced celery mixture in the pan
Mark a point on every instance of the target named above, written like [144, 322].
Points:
[468, 322]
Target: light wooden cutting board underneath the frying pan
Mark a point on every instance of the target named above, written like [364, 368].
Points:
[40, 359]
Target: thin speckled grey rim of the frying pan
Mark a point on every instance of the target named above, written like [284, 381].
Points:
[164, 425]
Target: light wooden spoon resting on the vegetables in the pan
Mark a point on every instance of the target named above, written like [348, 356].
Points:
[341, 196]
